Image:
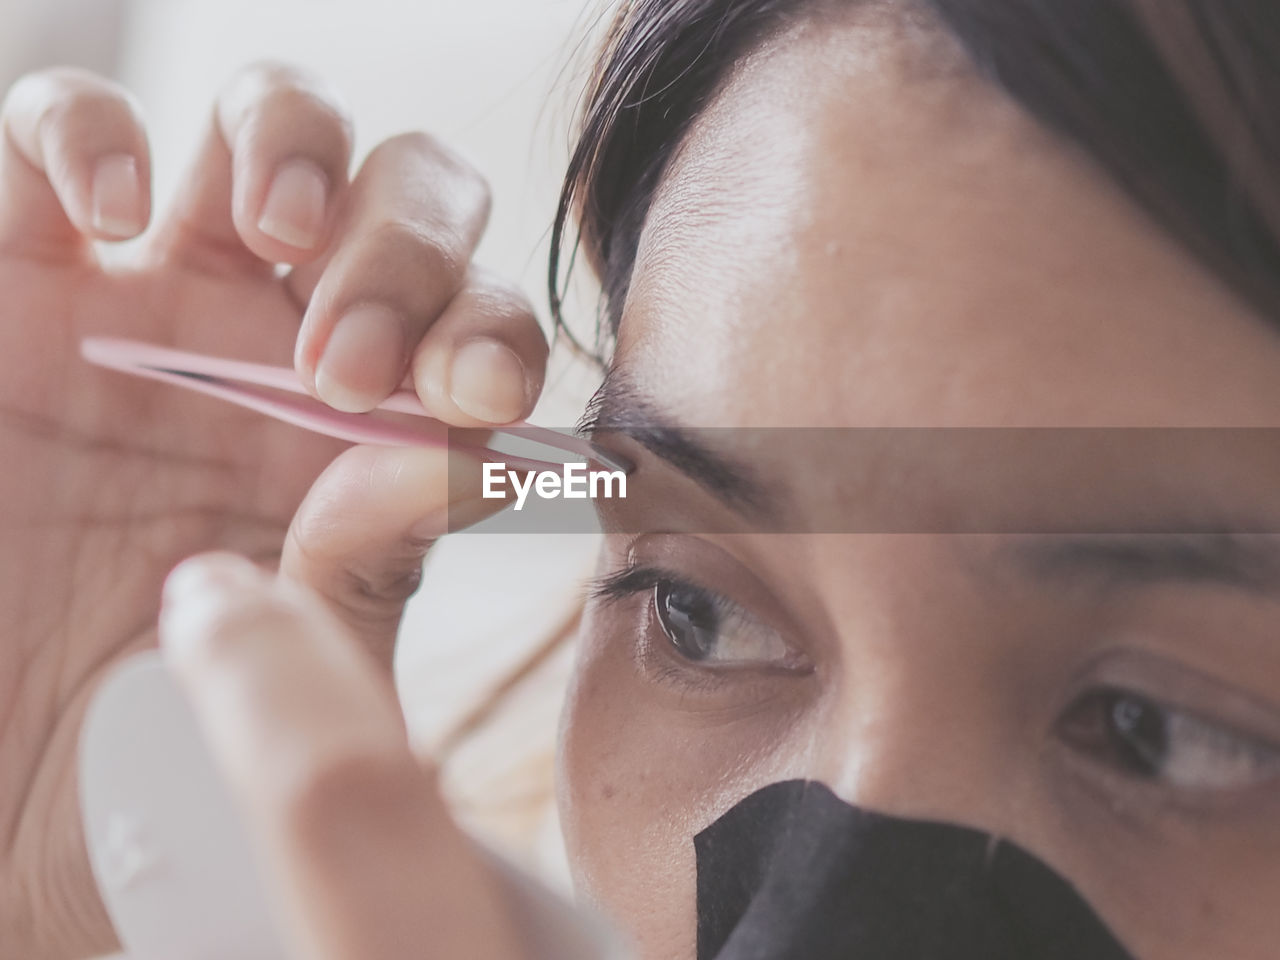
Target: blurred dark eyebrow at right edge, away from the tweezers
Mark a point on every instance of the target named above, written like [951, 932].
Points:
[1244, 561]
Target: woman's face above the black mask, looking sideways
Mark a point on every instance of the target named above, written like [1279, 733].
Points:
[858, 234]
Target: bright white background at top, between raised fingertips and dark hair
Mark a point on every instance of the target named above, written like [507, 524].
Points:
[479, 74]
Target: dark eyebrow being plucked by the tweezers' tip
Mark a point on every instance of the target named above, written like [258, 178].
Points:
[620, 408]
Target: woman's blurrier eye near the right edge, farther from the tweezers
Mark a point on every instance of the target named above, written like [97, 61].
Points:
[1163, 744]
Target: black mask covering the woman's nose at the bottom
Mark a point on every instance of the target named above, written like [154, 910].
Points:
[796, 874]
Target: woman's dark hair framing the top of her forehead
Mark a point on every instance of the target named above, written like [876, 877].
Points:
[1178, 99]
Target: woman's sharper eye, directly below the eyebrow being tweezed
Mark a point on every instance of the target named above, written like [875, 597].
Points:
[710, 629]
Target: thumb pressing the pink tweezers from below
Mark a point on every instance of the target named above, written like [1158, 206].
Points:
[362, 534]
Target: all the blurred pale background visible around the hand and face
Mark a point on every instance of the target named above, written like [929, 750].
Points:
[499, 80]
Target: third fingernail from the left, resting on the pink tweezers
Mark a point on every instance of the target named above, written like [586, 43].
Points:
[364, 360]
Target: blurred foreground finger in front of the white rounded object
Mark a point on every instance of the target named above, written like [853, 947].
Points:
[354, 834]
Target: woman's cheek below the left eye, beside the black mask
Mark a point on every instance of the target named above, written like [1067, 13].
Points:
[641, 772]
